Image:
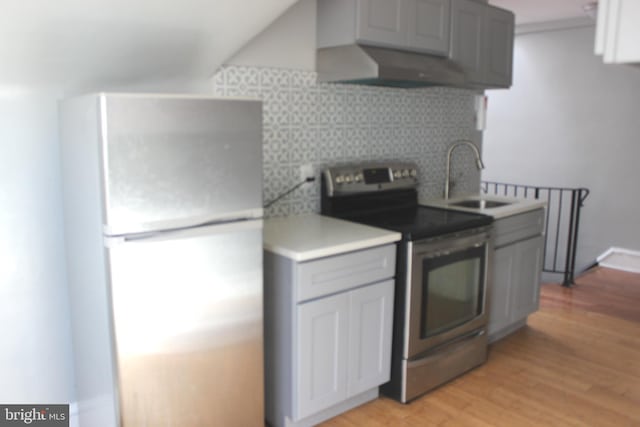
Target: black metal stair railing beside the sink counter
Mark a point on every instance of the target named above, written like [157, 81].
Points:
[561, 225]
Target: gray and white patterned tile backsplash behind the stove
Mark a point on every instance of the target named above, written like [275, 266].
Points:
[305, 122]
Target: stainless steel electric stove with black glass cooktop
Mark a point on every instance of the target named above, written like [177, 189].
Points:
[442, 273]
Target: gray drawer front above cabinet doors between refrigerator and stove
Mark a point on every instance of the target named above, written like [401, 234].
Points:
[345, 271]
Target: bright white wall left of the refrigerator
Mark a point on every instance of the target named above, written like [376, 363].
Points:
[35, 353]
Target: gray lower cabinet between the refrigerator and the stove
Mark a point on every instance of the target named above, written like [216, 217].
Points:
[328, 326]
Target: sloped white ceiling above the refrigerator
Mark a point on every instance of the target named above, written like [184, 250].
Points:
[87, 44]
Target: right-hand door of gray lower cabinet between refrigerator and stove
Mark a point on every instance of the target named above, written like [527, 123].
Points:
[371, 321]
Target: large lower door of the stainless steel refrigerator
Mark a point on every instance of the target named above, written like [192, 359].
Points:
[187, 314]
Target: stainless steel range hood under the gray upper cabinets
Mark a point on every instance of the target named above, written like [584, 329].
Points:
[368, 65]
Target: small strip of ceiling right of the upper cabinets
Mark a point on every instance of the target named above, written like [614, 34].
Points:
[530, 11]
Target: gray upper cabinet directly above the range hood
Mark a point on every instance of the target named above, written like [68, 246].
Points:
[417, 25]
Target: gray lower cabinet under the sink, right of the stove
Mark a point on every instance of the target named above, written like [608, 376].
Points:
[517, 268]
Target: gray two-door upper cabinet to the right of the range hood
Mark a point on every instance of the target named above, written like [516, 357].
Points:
[482, 42]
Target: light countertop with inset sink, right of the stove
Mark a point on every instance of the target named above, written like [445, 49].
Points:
[514, 206]
